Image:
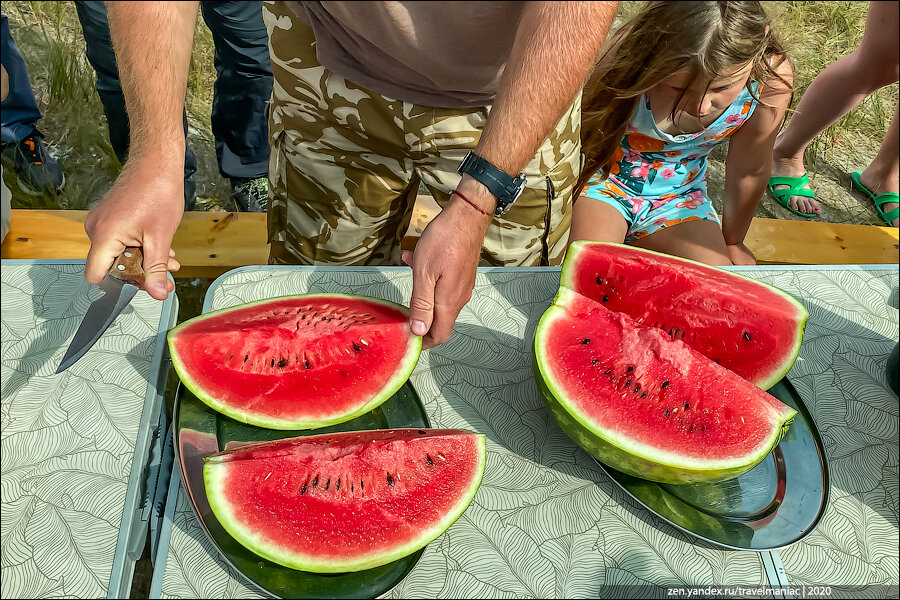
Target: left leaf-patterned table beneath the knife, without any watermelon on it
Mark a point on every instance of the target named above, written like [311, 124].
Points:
[75, 447]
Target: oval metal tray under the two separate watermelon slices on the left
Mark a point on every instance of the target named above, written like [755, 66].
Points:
[201, 431]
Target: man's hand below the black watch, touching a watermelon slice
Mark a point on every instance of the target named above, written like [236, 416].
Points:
[444, 265]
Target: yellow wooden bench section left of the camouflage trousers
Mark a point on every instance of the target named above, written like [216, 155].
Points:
[206, 243]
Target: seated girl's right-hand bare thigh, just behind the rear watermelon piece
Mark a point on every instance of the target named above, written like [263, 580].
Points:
[697, 240]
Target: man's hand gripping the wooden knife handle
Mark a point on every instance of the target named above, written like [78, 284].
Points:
[142, 209]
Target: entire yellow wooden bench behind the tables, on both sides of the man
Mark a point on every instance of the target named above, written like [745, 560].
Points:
[210, 243]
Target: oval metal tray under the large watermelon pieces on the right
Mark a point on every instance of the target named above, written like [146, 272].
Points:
[777, 503]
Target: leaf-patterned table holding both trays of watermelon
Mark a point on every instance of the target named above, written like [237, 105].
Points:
[547, 522]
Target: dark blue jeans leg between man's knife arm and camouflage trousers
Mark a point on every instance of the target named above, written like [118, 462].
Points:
[243, 87]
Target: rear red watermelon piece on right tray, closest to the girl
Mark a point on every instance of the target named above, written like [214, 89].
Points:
[748, 327]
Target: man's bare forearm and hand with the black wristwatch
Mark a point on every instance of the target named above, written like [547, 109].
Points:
[554, 50]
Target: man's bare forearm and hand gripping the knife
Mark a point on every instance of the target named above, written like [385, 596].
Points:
[153, 43]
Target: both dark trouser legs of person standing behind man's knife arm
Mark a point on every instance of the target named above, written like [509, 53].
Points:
[242, 89]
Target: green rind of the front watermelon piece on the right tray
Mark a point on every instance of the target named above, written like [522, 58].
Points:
[626, 455]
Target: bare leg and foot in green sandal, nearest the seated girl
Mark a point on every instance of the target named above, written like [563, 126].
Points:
[838, 89]
